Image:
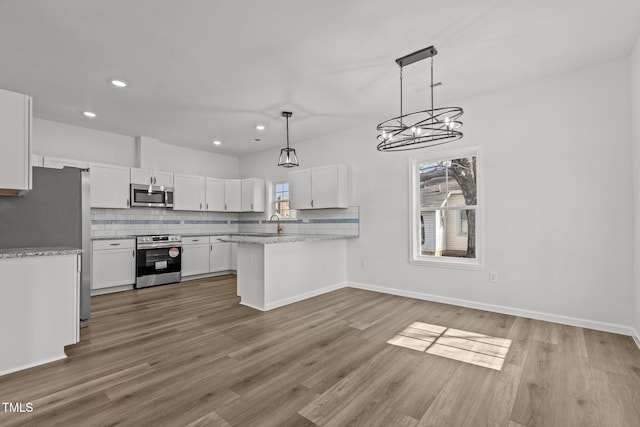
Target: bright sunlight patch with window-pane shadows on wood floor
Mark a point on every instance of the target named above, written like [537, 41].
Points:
[464, 346]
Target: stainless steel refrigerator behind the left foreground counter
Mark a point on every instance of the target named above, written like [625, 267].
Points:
[56, 212]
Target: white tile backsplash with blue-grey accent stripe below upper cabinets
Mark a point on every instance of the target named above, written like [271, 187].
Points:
[140, 221]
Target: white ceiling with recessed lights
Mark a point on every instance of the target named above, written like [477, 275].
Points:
[213, 69]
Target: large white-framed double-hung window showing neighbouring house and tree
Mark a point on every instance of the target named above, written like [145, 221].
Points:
[445, 209]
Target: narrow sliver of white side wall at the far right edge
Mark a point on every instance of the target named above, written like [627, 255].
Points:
[635, 111]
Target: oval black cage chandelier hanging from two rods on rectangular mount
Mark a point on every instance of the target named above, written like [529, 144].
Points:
[428, 128]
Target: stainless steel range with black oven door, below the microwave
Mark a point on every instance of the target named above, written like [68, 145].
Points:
[159, 260]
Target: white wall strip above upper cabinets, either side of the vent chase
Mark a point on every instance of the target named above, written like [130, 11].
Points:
[74, 142]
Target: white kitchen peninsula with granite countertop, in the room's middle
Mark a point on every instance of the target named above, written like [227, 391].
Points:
[276, 270]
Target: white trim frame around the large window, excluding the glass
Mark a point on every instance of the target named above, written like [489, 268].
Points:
[415, 256]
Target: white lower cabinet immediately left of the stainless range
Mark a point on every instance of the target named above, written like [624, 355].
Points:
[114, 263]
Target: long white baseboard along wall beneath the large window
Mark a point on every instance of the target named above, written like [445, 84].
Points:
[565, 320]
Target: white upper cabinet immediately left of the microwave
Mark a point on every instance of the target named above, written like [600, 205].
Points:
[109, 186]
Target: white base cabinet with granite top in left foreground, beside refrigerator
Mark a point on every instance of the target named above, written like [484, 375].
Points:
[39, 308]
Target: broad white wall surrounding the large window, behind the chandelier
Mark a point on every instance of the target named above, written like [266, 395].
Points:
[557, 199]
